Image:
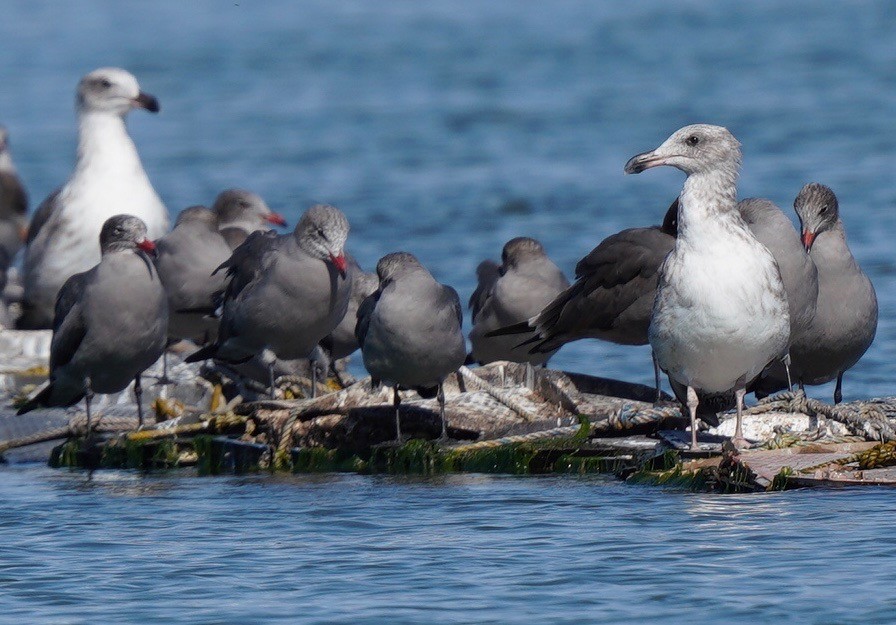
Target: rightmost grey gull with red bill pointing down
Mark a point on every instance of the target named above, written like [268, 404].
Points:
[845, 321]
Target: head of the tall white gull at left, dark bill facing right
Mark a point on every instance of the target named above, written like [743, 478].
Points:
[113, 90]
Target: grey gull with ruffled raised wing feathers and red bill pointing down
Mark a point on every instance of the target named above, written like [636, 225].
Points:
[285, 292]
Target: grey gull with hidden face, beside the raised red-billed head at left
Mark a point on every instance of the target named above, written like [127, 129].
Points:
[186, 259]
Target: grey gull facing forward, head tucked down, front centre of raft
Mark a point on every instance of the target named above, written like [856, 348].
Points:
[410, 331]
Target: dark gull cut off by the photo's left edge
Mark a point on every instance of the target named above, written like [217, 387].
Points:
[13, 208]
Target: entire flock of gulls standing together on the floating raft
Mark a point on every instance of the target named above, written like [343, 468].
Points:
[730, 297]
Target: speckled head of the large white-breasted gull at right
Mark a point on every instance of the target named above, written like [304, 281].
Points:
[694, 149]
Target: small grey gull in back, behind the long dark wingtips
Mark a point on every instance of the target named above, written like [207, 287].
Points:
[517, 290]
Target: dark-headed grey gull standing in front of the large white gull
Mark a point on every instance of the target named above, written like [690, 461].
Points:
[110, 322]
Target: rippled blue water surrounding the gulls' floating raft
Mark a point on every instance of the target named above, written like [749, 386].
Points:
[445, 129]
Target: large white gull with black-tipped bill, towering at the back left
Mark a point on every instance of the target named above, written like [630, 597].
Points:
[108, 176]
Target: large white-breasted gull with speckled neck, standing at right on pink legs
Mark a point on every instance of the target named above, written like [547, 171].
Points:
[721, 313]
